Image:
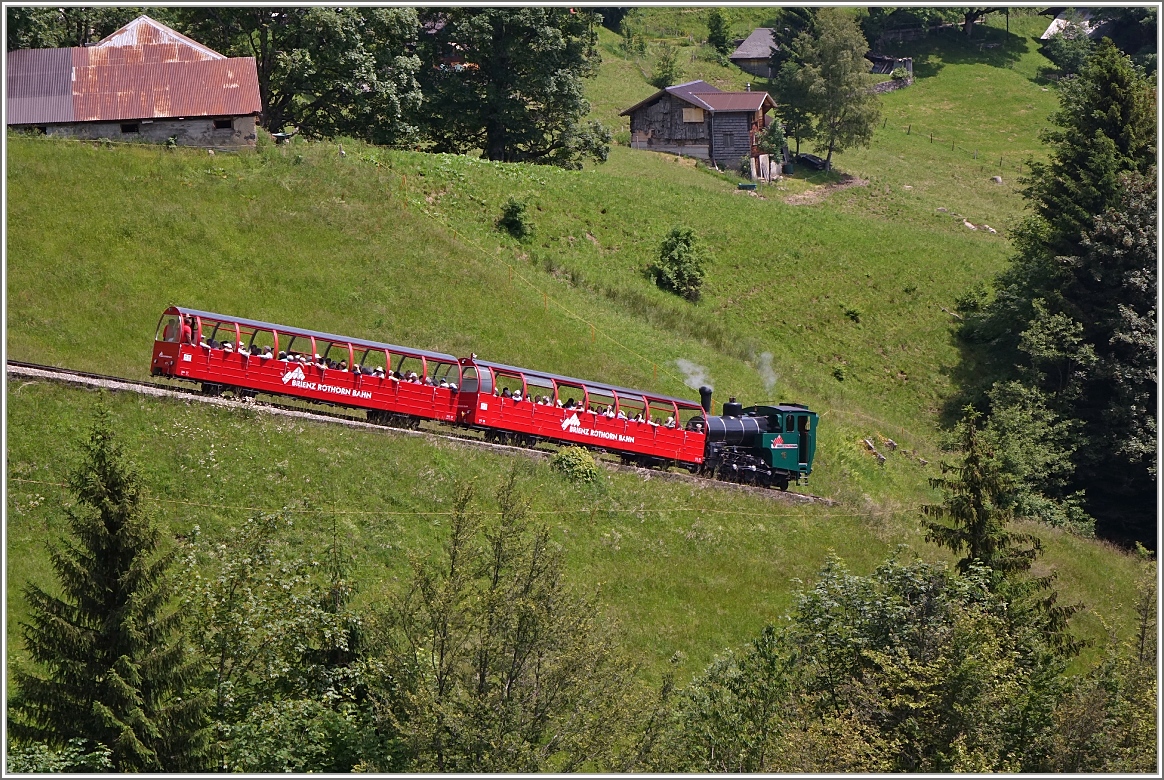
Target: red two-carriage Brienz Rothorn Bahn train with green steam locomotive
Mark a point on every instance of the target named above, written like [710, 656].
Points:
[764, 445]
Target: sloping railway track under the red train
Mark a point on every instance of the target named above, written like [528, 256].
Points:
[353, 419]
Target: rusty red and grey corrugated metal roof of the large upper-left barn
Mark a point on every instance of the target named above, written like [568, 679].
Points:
[143, 72]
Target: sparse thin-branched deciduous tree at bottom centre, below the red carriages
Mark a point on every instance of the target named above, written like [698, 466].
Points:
[494, 665]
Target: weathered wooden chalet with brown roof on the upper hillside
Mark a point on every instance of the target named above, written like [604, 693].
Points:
[698, 120]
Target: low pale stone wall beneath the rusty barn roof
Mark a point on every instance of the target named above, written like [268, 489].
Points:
[195, 132]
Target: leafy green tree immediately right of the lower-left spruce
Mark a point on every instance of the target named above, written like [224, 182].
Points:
[282, 650]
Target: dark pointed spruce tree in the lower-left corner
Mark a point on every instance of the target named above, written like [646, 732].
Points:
[110, 665]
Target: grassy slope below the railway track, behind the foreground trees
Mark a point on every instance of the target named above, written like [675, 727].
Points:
[684, 570]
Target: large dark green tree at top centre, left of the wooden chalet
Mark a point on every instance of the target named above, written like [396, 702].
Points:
[522, 95]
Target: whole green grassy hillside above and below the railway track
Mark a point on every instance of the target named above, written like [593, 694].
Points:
[839, 304]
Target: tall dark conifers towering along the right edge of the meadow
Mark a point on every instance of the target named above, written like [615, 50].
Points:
[1068, 331]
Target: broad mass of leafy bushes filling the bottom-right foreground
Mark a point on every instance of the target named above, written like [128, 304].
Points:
[910, 670]
